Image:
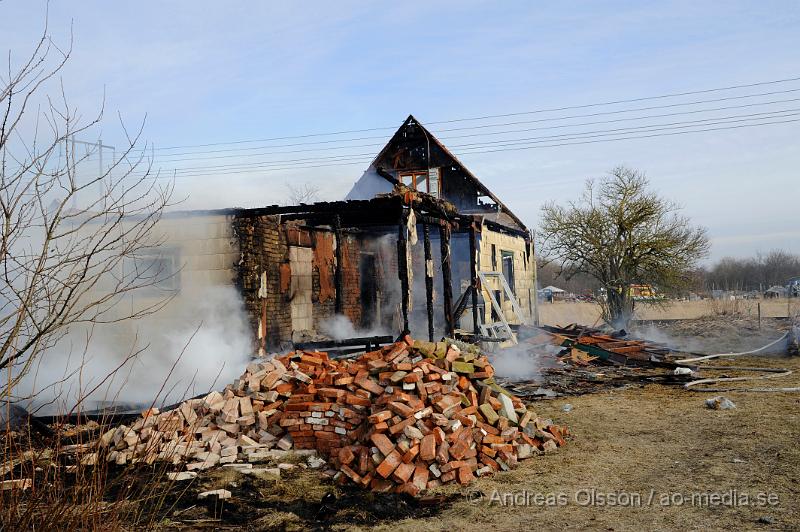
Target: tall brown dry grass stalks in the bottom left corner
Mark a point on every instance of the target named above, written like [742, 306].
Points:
[68, 493]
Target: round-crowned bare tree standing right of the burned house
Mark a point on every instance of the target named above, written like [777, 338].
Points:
[621, 233]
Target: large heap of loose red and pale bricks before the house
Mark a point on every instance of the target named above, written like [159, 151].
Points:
[408, 417]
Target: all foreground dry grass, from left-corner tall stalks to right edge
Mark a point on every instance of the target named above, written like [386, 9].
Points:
[640, 440]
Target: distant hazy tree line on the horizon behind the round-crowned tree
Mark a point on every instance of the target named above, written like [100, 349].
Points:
[750, 274]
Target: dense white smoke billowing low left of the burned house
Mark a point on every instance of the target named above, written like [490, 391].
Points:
[208, 325]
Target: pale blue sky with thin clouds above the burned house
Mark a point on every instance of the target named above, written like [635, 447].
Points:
[212, 72]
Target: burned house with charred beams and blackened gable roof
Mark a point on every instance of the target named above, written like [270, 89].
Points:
[419, 244]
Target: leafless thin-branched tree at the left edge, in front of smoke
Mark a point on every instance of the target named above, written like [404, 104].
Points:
[70, 242]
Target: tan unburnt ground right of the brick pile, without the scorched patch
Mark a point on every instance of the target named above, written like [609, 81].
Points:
[649, 446]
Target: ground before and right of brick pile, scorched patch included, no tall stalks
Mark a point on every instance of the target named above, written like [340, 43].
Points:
[640, 457]
